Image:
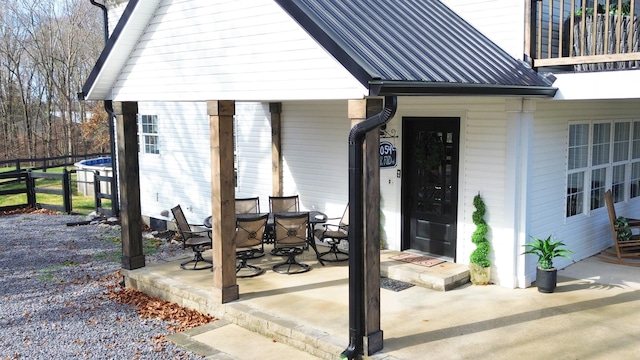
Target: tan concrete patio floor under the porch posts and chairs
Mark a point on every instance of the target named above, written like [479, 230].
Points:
[592, 314]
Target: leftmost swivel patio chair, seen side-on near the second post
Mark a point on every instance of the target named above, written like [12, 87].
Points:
[194, 239]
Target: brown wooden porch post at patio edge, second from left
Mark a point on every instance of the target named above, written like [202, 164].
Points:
[225, 288]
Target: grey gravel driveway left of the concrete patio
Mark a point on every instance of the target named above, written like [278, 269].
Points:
[53, 302]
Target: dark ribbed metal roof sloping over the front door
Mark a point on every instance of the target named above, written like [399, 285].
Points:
[414, 47]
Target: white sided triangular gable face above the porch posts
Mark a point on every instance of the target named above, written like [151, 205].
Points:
[229, 49]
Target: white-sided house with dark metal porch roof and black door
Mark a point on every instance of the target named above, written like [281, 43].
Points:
[471, 116]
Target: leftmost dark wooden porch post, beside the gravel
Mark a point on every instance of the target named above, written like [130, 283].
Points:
[130, 213]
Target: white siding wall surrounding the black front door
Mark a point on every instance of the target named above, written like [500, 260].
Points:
[482, 170]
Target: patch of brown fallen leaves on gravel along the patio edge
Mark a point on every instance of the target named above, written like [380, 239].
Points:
[148, 307]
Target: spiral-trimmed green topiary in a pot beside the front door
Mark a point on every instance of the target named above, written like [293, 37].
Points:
[479, 263]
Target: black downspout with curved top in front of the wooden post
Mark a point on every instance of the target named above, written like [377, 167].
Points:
[356, 243]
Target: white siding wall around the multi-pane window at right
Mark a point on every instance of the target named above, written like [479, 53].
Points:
[584, 234]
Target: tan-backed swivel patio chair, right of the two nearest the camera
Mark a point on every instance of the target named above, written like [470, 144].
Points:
[291, 238]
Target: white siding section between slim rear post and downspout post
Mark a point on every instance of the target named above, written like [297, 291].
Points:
[315, 154]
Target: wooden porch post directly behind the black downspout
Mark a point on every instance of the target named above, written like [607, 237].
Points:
[358, 111]
